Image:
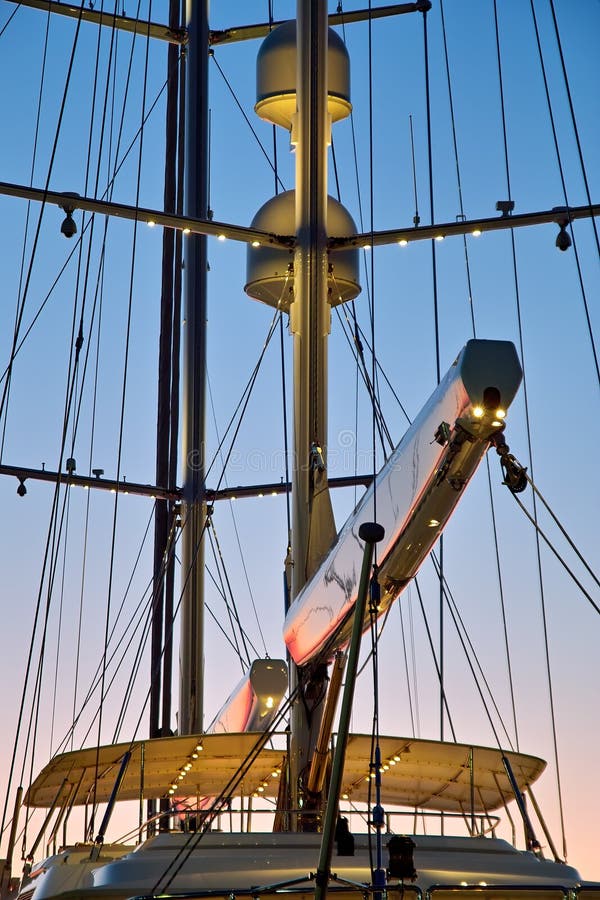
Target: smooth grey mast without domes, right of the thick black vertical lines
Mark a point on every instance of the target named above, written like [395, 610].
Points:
[194, 373]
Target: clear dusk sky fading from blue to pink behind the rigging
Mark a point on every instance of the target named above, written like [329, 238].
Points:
[554, 345]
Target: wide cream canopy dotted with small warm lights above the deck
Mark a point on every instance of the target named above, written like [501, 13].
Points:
[418, 774]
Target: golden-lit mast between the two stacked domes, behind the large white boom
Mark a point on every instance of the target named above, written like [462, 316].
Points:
[312, 527]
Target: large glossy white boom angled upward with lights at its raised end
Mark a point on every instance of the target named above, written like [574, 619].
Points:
[416, 493]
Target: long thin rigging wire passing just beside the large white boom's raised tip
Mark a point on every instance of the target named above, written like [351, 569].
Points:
[529, 437]
